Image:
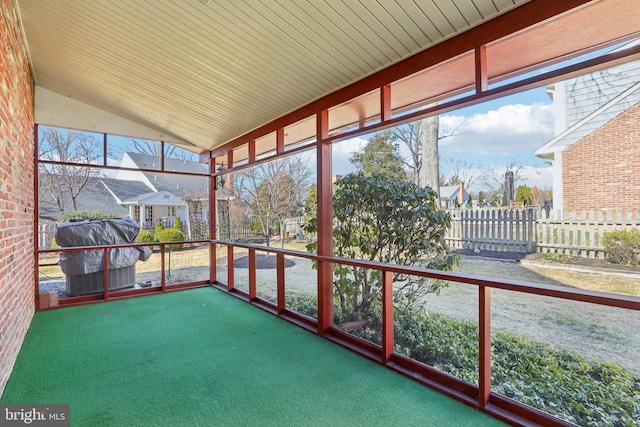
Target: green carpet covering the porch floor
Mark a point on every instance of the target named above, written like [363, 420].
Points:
[203, 358]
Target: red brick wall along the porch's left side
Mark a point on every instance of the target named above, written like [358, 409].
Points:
[16, 191]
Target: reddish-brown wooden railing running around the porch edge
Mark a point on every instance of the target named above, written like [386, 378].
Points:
[479, 396]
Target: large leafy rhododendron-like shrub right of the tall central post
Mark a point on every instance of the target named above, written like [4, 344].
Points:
[380, 218]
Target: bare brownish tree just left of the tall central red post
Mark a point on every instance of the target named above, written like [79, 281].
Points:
[274, 191]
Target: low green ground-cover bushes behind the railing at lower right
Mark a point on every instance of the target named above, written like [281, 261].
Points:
[558, 381]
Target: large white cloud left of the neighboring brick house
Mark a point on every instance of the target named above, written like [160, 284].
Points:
[508, 130]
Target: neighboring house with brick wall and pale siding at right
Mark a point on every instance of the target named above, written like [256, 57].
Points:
[595, 153]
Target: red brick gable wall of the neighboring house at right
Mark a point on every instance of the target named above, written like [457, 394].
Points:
[602, 170]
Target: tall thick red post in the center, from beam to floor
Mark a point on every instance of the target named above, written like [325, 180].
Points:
[325, 218]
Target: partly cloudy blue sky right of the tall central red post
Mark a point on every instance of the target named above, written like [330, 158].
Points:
[493, 134]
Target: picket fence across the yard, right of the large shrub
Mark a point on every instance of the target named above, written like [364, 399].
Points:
[531, 229]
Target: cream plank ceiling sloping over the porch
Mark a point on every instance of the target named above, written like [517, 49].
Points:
[205, 72]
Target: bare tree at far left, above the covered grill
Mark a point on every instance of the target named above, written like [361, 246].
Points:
[63, 180]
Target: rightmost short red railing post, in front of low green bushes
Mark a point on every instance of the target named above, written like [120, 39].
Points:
[484, 374]
